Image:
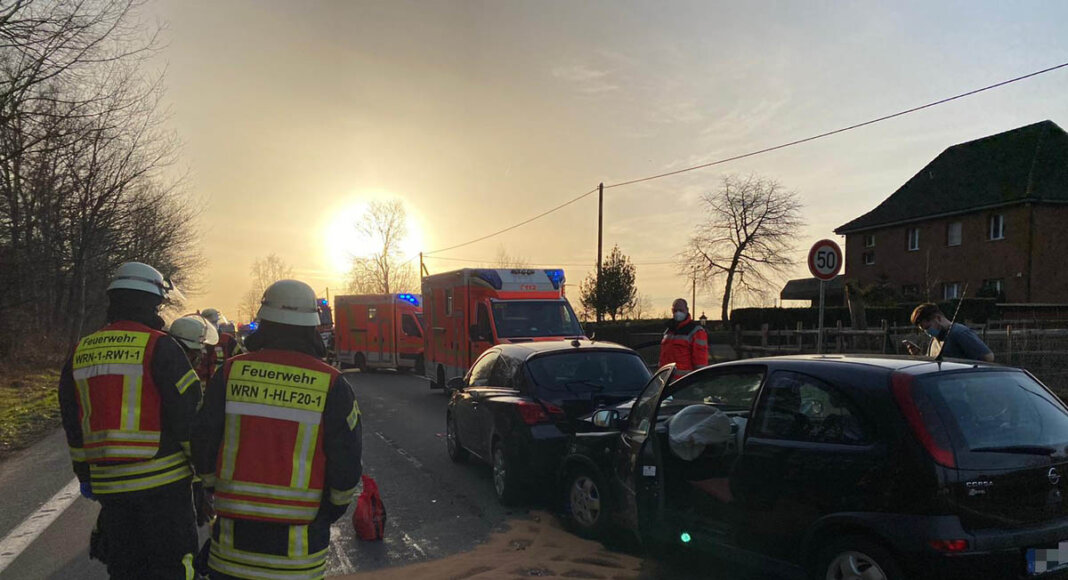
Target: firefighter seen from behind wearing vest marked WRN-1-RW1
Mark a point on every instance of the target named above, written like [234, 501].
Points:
[128, 398]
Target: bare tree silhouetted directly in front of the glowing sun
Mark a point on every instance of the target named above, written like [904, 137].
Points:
[385, 272]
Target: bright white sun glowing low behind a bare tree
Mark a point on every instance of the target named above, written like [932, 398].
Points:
[343, 243]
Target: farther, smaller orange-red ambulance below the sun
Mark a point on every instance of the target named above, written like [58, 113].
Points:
[379, 332]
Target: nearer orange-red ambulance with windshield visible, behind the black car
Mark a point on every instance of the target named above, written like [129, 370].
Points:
[468, 311]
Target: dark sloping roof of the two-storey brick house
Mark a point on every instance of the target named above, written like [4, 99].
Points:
[1028, 164]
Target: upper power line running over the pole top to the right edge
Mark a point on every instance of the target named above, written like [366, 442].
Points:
[755, 153]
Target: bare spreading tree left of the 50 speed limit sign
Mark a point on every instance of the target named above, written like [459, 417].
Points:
[747, 238]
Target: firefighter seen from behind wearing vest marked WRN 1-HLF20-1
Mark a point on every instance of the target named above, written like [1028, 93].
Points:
[279, 443]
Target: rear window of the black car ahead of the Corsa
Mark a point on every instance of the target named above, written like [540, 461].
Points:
[579, 373]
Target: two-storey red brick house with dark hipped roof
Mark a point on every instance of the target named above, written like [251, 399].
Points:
[990, 214]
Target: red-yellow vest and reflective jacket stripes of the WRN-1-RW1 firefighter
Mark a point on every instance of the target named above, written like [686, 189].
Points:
[119, 412]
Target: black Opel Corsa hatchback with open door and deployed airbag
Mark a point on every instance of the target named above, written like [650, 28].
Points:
[837, 467]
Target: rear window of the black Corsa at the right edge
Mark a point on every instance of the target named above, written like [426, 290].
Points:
[999, 413]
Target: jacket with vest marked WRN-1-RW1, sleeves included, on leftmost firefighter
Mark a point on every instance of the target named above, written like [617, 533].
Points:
[128, 398]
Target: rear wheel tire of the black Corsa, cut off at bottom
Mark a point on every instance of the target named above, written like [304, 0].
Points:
[856, 557]
